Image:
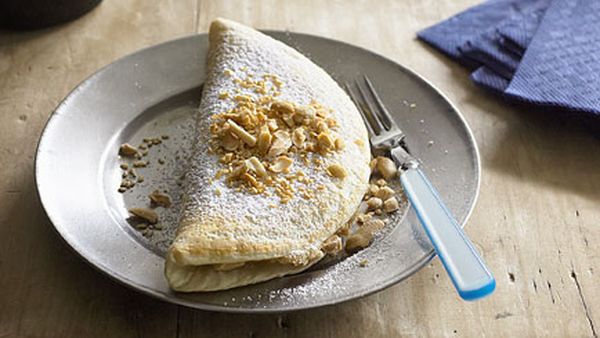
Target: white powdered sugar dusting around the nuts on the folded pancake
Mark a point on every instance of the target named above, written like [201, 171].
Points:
[296, 228]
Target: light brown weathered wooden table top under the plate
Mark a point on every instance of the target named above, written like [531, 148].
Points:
[537, 221]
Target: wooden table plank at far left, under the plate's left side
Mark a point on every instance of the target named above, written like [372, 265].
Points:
[45, 289]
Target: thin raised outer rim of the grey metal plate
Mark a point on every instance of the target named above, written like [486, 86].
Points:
[123, 280]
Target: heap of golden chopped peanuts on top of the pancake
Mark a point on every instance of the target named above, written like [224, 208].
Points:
[258, 139]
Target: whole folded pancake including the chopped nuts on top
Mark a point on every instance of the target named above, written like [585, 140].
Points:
[280, 164]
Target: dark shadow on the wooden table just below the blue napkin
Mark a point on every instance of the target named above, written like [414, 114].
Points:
[542, 145]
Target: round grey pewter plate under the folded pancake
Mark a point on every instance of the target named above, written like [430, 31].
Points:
[154, 92]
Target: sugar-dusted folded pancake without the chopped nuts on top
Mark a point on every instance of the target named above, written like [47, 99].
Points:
[229, 238]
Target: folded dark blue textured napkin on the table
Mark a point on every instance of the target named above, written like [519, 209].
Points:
[545, 52]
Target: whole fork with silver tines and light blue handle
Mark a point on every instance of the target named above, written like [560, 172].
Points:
[469, 274]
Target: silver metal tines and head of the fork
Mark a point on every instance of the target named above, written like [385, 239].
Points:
[383, 130]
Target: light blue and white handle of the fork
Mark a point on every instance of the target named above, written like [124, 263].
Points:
[466, 269]
